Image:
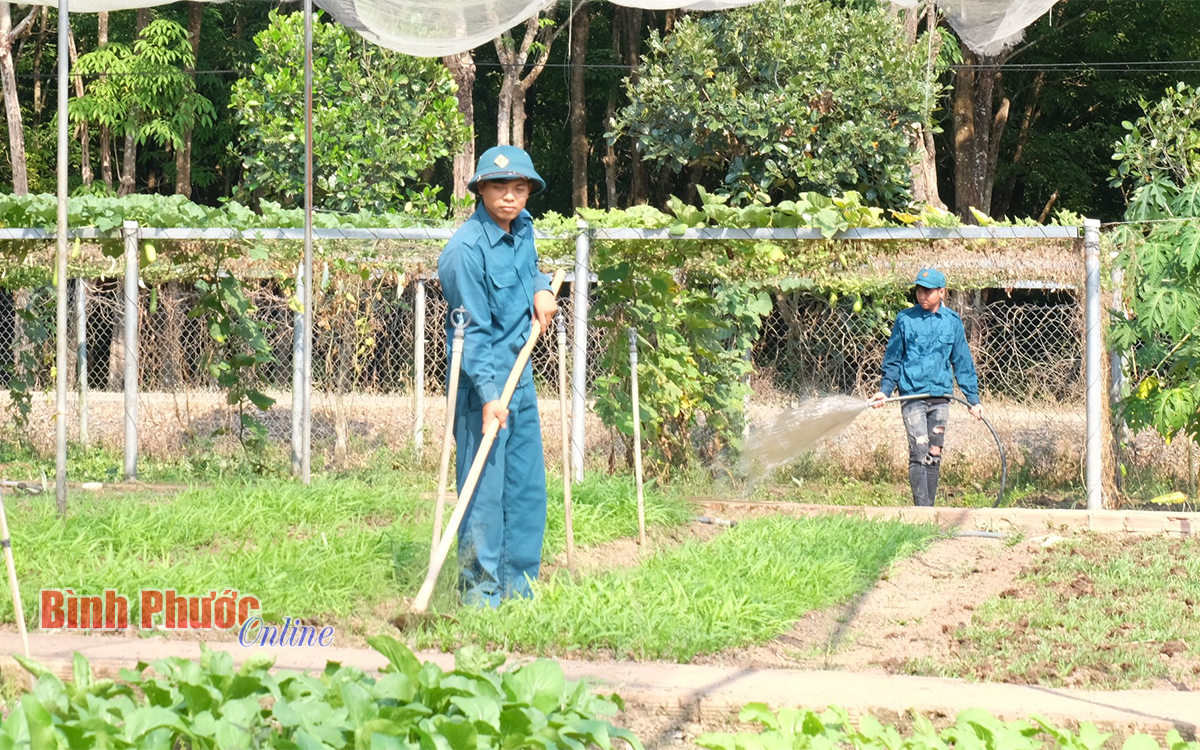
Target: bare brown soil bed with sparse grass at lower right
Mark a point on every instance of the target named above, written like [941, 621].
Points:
[1090, 611]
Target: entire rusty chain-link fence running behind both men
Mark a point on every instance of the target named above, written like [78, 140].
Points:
[1028, 343]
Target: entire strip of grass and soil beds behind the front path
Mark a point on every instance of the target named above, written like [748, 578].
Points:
[835, 593]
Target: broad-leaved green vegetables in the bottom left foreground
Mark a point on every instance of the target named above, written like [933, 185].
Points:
[205, 705]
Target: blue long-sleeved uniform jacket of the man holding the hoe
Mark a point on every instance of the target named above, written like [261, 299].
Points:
[494, 274]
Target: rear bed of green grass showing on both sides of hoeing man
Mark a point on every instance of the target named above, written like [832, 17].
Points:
[333, 551]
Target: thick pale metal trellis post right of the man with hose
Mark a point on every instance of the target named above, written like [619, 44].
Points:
[1094, 359]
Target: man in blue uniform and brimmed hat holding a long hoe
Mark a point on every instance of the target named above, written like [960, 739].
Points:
[490, 267]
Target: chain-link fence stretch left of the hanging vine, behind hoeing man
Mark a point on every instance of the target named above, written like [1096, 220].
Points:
[364, 367]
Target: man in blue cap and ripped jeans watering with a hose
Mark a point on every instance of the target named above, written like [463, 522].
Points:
[927, 341]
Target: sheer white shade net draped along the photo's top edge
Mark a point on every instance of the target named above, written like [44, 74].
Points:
[436, 28]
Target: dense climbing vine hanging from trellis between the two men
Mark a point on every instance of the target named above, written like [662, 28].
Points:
[697, 320]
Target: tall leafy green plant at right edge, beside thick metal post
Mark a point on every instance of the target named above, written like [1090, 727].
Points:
[1160, 164]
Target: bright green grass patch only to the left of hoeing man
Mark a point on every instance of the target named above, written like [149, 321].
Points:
[316, 551]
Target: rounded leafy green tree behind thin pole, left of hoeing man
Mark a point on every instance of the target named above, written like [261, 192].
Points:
[381, 121]
